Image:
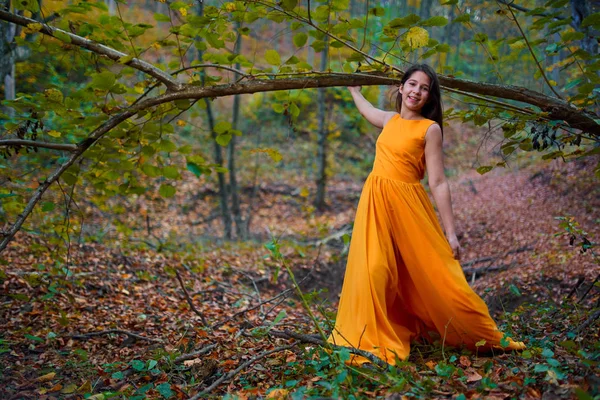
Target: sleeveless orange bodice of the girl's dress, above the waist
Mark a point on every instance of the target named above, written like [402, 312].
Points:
[400, 150]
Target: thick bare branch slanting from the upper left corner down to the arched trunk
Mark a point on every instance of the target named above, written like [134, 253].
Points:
[97, 48]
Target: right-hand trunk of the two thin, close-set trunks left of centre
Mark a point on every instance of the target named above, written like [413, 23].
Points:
[235, 197]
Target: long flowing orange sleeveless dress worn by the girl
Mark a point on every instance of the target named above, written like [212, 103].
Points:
[401, 278]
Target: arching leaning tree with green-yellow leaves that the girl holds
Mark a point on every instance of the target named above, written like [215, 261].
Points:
[136, 114]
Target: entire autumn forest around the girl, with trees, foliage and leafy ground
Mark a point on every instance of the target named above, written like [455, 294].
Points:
[178, 182]
